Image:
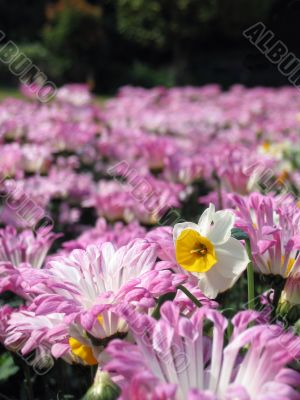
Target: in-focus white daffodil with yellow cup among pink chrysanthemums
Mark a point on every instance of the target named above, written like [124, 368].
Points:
[208, 251]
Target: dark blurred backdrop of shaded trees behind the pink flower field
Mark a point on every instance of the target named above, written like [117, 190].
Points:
[111, 43]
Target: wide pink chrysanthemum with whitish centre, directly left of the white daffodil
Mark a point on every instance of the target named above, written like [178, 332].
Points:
[88, 285]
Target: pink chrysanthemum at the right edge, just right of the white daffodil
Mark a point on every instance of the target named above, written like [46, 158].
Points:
[274, 232]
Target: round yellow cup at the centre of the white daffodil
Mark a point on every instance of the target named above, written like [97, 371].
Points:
[194, 253]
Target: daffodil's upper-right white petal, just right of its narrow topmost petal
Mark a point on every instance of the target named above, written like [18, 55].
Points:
[220, 232]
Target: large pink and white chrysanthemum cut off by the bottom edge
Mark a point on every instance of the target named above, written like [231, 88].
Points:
[180, 358]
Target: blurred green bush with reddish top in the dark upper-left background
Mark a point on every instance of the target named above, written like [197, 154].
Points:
[74, 34]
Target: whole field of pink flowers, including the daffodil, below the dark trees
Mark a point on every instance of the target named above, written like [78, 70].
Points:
[150, 245]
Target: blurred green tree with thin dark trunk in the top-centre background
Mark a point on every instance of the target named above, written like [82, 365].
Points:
[166, 24]
